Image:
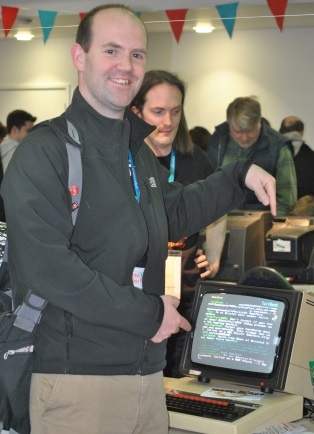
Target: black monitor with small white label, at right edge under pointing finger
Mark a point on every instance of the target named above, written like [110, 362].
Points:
[289, 248]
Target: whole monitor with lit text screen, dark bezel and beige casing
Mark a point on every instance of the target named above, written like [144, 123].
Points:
[255, 336]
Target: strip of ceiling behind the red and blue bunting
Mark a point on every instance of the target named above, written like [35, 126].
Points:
[251, 14]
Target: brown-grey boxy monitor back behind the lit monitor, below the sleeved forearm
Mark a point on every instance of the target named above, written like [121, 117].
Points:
[244, 245]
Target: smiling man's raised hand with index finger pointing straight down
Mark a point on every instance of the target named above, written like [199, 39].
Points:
[264, 186]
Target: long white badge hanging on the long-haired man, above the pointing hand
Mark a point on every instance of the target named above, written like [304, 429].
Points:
[173, 273]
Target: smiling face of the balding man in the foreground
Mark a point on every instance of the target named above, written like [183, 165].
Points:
[112, 71]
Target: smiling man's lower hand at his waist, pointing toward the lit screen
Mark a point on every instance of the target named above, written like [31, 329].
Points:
[172, 321]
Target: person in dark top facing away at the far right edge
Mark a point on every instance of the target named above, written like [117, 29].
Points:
[292, 128]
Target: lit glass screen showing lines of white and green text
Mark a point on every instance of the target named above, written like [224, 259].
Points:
[237, 331]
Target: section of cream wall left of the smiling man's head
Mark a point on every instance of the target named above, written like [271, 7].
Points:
[35, 65]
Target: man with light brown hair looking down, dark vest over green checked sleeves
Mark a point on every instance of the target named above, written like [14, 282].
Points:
[246, 135]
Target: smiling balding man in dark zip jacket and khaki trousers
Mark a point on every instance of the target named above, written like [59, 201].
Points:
[100, 344]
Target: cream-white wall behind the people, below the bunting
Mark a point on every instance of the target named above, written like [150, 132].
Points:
[275, 66]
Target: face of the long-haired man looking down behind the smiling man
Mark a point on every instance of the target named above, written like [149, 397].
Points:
[162, 108]
